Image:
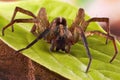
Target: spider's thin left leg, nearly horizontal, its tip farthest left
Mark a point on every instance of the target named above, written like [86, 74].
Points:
[19, 21]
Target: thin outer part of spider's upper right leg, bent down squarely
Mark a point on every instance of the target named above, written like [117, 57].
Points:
[103, 19]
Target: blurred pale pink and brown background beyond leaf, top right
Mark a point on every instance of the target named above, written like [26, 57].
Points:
[99, 8]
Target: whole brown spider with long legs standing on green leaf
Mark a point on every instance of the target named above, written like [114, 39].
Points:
[58, 34]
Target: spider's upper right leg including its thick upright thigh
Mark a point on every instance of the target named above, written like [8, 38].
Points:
[79, 20]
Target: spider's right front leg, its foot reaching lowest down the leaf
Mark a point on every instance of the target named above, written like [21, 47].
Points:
[78, 34]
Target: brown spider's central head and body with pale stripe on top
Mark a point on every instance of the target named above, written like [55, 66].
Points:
[59, 35]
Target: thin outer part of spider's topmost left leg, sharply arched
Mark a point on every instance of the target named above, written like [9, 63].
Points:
[18, 9]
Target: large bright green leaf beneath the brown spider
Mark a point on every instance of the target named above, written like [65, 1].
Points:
[71, 66]
